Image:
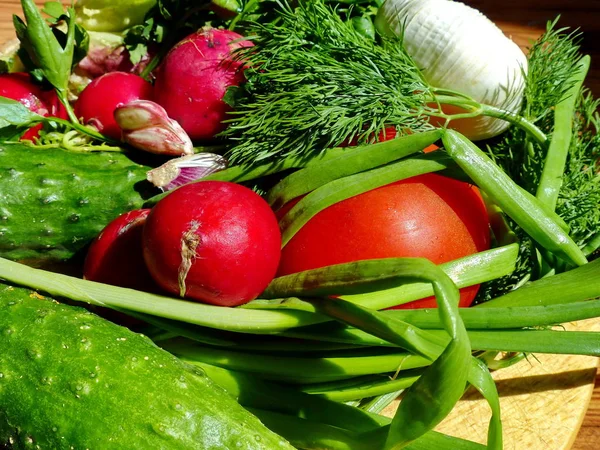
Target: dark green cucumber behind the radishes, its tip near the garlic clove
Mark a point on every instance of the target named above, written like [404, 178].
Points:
[53, 202]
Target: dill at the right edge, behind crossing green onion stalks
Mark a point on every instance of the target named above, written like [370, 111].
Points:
[552, 61]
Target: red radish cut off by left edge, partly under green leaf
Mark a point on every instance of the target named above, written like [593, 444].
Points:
[18, 86]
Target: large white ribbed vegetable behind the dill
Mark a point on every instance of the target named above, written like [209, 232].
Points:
[460, 49]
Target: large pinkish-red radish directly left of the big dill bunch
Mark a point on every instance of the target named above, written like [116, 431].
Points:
[193, 78]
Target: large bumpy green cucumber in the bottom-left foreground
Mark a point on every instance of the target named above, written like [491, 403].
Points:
[71, 380]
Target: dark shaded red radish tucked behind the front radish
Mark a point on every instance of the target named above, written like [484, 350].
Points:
[115, 257]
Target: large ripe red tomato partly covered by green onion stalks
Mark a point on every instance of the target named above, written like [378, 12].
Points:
[428, 216]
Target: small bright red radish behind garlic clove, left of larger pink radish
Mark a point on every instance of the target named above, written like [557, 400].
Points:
[98, 101]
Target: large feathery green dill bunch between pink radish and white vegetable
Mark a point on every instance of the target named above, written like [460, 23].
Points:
[314, 81]
